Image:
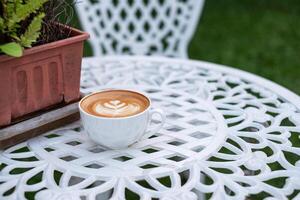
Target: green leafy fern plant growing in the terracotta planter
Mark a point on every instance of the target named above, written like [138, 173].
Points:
[20, 24]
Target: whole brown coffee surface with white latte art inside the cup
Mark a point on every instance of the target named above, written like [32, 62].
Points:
[115, 103]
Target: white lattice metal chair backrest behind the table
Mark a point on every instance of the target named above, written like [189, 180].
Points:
[140, 27]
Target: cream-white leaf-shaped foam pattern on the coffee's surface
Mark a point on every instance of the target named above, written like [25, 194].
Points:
[116, 108]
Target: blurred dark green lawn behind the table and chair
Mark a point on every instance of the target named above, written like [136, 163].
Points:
[258, 36]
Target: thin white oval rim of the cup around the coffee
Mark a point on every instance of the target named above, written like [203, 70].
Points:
[115, 118]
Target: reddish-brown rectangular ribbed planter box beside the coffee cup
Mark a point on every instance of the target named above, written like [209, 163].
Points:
[44, 76]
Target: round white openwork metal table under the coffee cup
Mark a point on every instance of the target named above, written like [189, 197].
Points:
[229, 135]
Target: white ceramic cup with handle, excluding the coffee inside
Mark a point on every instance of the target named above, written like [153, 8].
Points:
[120, 132]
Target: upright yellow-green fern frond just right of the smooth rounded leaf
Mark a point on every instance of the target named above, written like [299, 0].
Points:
[33, 31]
